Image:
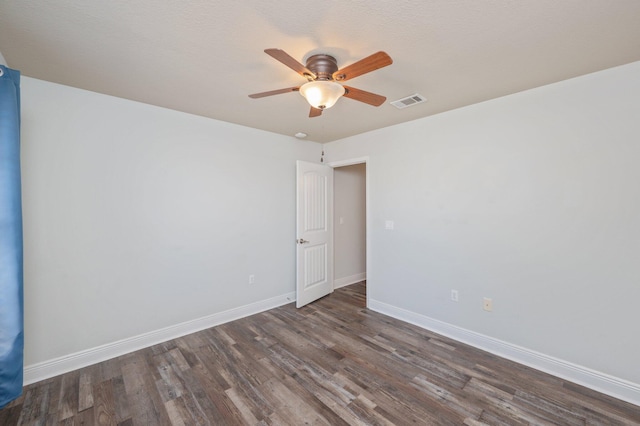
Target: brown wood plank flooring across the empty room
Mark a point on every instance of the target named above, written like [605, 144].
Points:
[331, 363]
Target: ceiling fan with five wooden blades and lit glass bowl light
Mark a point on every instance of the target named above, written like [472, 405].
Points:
[322, 89]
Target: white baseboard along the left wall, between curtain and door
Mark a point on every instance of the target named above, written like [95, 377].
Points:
[46, 369]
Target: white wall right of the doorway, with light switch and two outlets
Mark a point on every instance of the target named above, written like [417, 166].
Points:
[532, 200]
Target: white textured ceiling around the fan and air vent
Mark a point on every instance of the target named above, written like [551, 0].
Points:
[205, 56]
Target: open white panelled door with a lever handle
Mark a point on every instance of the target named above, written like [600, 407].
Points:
[314, 230]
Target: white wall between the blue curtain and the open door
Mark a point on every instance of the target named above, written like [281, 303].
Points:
[138, 218]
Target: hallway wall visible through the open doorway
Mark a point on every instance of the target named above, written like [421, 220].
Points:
[349, 195]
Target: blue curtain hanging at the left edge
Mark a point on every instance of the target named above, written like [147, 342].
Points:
[11, 296]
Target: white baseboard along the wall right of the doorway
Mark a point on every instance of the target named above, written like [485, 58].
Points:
[598, 381]
